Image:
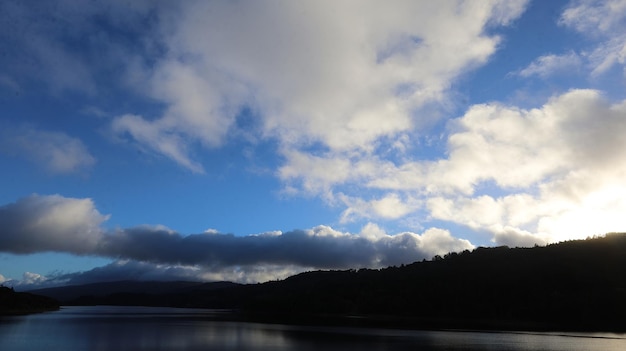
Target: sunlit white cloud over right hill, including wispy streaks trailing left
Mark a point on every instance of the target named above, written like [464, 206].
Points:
[523, 176]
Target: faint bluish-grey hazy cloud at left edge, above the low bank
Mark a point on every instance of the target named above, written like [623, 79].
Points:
[56, 152]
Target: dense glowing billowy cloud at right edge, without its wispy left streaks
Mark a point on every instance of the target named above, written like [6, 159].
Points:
[559, 168]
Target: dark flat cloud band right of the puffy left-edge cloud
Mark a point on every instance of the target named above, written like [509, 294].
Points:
[320, 247]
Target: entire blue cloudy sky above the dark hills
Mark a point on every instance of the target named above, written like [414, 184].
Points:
[252, 140]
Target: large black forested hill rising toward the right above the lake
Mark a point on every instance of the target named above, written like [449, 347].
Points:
[574, 285]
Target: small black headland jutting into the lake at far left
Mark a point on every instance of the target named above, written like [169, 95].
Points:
[12, 302]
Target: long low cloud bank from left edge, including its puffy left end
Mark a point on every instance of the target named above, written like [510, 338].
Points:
[54, 223]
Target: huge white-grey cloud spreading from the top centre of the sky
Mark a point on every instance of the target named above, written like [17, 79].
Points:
[336, 75]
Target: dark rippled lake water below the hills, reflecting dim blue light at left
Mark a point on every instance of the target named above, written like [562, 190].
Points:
[104, 328]
